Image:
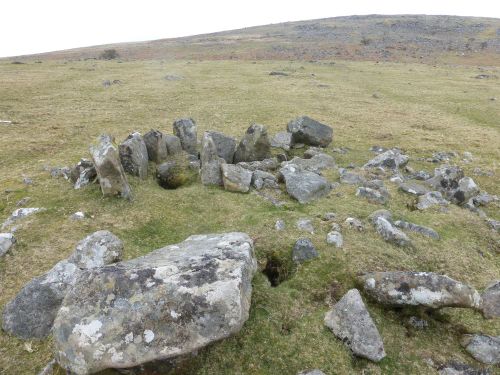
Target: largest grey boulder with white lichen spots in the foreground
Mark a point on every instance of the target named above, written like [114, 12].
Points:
[171, 302]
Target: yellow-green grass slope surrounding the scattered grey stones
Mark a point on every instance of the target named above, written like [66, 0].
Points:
[61, 107]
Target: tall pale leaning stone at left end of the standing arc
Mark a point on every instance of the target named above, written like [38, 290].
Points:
[109, 169]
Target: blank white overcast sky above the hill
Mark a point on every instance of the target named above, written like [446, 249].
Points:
[32, 26]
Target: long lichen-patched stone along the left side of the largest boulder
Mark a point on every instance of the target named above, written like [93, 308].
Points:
[31, 313]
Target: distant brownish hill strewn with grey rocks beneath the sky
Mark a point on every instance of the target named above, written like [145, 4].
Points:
[373, 37]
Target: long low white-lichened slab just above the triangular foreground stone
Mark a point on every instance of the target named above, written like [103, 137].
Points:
[419, 289]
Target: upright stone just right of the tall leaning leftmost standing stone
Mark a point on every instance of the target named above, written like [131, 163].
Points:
[134, 155]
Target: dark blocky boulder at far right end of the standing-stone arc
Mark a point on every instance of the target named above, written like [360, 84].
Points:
[310, 132]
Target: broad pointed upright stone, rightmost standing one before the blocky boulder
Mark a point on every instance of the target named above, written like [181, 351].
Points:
[254, 145]
